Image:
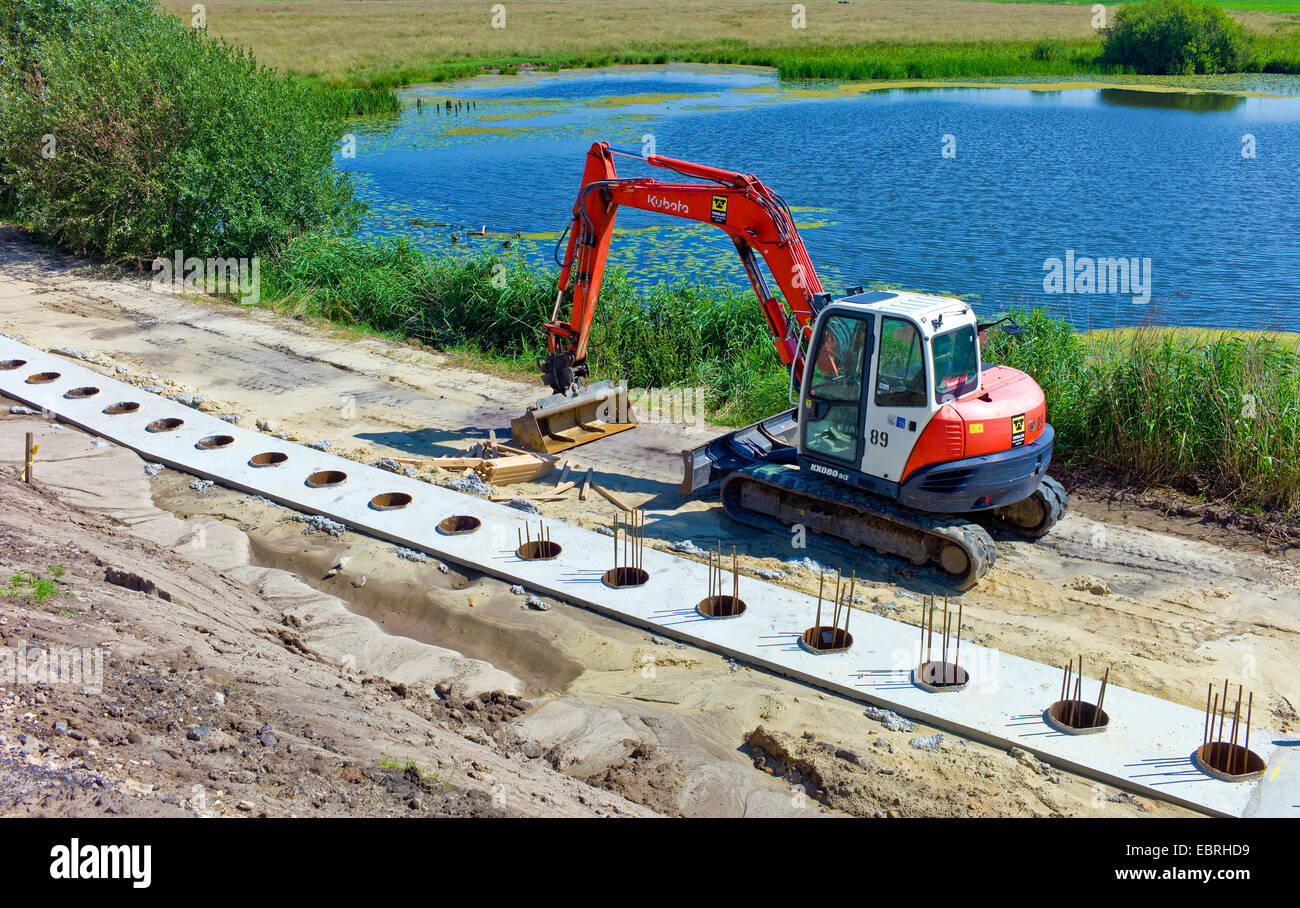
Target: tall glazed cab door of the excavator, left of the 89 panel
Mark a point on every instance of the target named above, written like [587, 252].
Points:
[831, 410]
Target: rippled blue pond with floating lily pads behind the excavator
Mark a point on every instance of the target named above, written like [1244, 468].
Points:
[999, 194]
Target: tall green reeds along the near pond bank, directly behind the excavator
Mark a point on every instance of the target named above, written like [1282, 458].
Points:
[1211, 413]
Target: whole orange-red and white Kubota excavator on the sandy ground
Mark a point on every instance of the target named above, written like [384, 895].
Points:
[902, 439]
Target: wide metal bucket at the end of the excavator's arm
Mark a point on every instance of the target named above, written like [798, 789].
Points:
[558, 422]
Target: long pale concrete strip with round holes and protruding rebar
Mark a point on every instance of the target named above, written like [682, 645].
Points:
[1147, 747]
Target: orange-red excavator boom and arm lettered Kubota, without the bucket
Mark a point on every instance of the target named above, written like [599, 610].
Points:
[757, 220]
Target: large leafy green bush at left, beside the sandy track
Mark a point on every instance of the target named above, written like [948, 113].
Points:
[127, 136]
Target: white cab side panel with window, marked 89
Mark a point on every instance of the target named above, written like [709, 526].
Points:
[899, 407]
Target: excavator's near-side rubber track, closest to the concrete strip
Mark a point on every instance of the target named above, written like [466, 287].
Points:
[835, 496]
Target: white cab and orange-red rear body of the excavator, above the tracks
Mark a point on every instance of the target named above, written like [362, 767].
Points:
[894, 401]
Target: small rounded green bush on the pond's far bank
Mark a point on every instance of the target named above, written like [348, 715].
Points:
[1176, 38]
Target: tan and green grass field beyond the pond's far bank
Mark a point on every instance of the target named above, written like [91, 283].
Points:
[396, 42]
